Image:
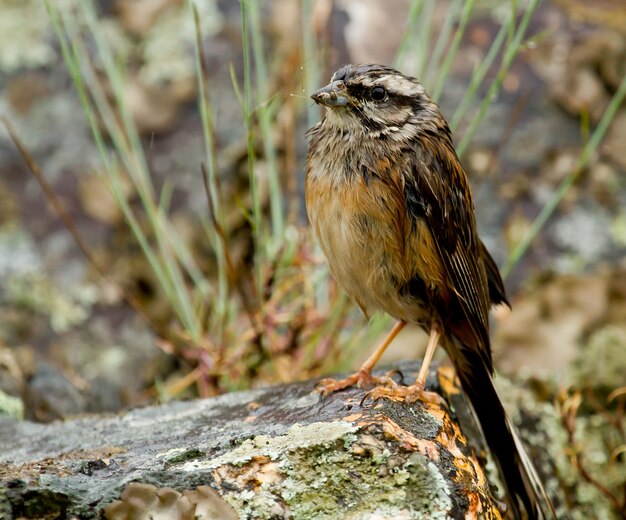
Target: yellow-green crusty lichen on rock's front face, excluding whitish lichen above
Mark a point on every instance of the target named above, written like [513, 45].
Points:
[319, 486]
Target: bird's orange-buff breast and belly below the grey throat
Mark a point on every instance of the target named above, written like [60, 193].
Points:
[364, 232]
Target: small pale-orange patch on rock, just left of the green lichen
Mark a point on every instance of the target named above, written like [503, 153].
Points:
[260, 470]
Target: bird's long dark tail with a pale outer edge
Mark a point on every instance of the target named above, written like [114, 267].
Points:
[516, 469]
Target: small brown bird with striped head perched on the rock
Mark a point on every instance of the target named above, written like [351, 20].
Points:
[391, 207]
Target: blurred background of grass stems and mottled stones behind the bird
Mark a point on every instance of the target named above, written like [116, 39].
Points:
[125, 280]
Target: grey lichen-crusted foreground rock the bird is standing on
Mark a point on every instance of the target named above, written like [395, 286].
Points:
[277, 452]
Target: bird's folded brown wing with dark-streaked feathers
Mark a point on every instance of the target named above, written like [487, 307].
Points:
[438, 193]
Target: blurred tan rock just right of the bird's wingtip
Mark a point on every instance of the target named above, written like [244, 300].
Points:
[551, 323]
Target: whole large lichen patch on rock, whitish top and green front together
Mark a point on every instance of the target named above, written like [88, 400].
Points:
[326, 470]
